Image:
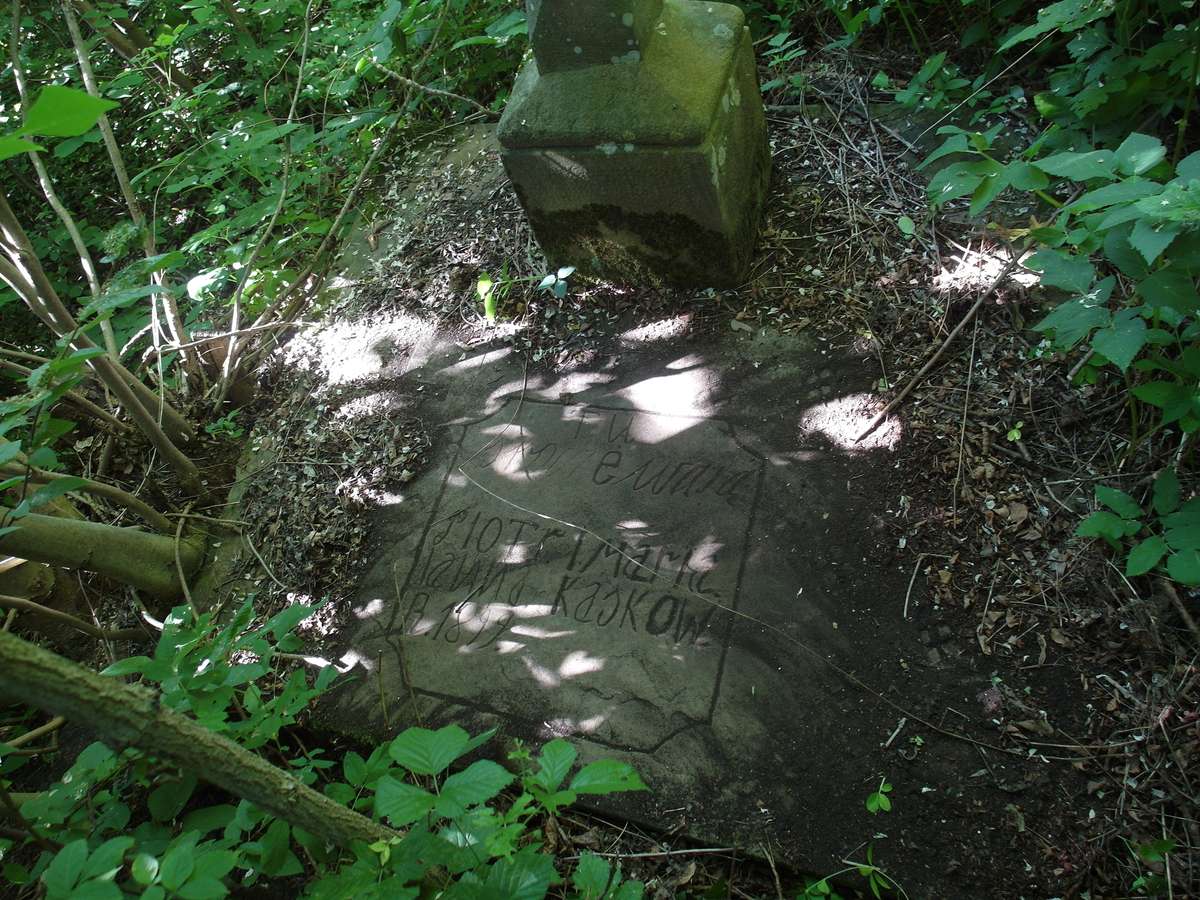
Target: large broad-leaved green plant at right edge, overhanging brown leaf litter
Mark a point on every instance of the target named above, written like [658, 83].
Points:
[1124, 248]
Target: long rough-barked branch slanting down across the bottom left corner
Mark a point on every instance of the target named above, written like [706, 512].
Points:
[128, 716]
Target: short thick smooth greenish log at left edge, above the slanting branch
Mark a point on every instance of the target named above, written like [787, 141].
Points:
[129, 555]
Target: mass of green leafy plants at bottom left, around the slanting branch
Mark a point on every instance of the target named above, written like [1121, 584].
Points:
[121, 824]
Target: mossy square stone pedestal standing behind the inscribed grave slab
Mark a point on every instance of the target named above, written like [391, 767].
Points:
[637, 140]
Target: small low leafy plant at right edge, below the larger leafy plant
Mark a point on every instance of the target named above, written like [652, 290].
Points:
[1165, 538]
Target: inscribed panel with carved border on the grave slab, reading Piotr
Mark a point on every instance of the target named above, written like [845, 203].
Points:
[573, 569]
